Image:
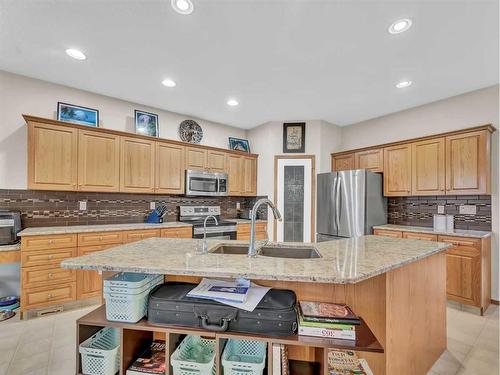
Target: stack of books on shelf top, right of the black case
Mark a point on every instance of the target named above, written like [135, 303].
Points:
[332, 320]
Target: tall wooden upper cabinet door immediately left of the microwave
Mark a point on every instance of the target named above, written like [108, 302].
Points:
[170, 169]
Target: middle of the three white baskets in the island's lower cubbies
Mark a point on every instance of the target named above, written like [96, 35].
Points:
[184, 360]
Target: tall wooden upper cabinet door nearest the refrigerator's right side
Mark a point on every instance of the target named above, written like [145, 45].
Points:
[397, 170]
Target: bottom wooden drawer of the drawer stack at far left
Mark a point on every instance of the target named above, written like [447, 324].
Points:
[49, 295]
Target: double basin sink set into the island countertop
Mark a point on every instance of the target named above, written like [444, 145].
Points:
[290, 252]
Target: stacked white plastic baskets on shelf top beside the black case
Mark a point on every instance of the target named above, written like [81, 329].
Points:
[126, 306]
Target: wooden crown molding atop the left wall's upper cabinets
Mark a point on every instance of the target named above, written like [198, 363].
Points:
[30, 119]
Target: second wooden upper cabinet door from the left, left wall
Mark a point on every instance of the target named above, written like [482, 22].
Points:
[98, 161]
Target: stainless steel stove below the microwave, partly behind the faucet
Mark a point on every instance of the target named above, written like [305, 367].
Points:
[196, 215]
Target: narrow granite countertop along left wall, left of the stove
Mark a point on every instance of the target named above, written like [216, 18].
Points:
[37, 231]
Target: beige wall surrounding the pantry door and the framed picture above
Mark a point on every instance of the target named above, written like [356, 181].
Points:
[322, 138]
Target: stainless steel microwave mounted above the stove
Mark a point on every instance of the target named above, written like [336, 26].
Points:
[203, 183]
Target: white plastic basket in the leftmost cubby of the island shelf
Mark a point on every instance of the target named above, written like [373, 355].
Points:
[101, 353]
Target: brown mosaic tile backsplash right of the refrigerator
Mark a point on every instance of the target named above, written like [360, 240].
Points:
[420, 210]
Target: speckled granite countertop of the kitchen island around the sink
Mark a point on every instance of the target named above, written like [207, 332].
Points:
[343, 261]
